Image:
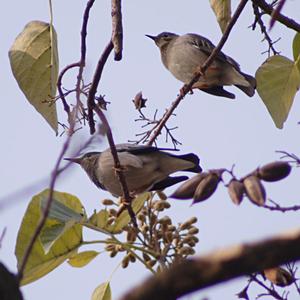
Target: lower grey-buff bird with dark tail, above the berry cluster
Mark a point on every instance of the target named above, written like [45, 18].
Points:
[146, 168]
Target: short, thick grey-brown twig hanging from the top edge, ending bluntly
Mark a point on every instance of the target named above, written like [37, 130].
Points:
[117, 28]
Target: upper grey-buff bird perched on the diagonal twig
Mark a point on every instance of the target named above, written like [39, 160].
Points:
[182, 55]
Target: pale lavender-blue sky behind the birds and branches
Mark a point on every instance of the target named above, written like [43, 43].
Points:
[222, 132]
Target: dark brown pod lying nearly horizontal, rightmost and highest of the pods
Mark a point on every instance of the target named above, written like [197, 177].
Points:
[274, 171]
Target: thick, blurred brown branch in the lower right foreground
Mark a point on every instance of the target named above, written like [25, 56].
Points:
[198, 273]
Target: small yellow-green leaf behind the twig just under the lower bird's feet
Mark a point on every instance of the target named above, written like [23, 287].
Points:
[124, 218]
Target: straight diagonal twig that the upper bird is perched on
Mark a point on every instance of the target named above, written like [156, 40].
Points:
[186, 88]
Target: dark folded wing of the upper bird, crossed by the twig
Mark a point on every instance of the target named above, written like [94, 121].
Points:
[206, 46]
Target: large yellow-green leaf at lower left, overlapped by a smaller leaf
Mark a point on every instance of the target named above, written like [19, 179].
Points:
[39, 263]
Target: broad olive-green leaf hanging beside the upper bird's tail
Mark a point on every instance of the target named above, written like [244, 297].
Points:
[278, 80]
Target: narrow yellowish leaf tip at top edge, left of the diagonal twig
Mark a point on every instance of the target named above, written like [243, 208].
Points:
[222, 10]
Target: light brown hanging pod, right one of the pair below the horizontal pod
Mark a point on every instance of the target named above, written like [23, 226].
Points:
[255, 190]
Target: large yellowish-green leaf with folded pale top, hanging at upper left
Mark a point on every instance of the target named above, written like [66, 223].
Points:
[34, 62]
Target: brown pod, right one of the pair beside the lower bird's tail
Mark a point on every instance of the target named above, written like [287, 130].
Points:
[206, 187]
